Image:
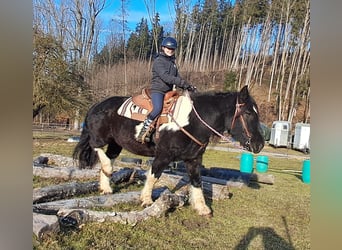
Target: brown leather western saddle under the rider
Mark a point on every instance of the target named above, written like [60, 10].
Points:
[143, 100]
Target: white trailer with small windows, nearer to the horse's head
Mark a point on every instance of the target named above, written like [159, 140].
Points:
[280, 134]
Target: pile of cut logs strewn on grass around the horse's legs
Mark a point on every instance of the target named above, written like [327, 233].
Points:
[56, 206]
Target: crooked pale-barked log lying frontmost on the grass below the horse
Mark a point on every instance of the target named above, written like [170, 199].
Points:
[78, 217]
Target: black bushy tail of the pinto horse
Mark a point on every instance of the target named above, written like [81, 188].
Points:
[83, 152]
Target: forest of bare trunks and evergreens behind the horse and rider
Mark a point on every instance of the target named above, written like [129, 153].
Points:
[222, 46]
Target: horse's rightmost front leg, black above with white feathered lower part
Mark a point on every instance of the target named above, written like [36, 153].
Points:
[196, 193]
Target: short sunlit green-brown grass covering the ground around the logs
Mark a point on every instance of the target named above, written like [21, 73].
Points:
[256, 217]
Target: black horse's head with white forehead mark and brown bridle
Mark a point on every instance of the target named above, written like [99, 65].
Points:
[245, 126]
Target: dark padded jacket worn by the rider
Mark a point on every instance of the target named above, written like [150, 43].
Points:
[165, 74]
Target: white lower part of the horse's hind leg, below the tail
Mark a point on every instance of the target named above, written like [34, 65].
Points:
[106, 170]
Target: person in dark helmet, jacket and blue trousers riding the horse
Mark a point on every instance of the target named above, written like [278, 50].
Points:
[164, 76]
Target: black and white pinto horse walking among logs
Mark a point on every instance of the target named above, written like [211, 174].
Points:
[235, 112]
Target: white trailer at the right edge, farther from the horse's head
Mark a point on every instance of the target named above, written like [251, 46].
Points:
[301, 140]
